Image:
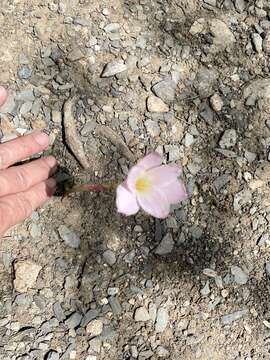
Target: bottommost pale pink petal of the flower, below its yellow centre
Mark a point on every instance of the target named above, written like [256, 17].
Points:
[154, 203]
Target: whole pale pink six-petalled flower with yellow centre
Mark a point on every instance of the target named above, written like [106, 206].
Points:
[151, 186]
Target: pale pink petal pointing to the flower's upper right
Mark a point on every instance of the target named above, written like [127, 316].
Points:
[164, 175]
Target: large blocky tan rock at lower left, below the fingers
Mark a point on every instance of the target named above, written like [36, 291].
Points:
[26, 273]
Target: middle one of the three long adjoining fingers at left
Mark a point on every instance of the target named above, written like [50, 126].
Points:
[21, 178]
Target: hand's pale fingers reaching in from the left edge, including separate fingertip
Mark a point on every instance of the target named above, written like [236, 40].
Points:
[23, 188]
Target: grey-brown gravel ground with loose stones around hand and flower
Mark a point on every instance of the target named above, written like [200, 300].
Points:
[112, 80]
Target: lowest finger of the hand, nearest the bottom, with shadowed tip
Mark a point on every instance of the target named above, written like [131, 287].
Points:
[15, 208]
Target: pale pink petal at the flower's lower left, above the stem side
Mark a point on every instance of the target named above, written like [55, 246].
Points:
[126, 202]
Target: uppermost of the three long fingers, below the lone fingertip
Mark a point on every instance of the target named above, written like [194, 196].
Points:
[21, 148]
